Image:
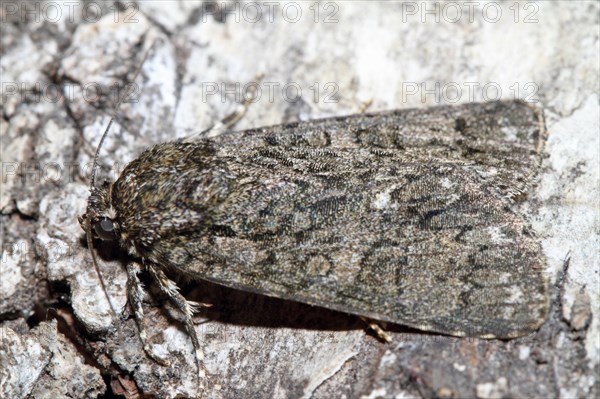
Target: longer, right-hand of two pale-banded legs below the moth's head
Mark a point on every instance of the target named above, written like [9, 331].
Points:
[186, 307]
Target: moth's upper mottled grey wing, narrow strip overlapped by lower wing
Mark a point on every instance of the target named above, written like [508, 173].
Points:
[502, 140]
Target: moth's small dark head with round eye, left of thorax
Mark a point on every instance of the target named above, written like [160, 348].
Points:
[100, 215]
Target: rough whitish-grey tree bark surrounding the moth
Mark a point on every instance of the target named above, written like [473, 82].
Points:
[387, 52]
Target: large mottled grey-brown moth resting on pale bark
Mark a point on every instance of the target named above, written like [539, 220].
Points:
[403, 216]
